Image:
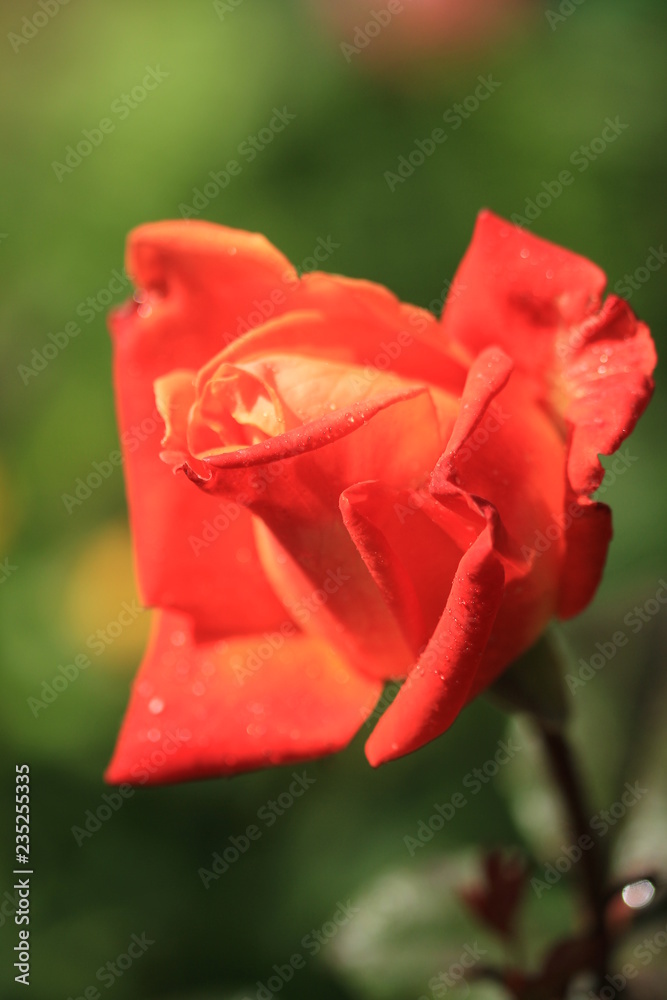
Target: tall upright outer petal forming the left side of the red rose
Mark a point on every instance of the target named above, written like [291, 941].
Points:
[195, 279]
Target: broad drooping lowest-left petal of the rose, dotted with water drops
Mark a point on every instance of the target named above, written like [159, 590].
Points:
[214, 709]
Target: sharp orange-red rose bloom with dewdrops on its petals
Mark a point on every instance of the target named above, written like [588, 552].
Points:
[350, 491]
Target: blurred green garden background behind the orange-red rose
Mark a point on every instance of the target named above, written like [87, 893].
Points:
[67, 573]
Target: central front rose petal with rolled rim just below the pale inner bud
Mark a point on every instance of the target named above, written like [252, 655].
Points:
[293, 484]
